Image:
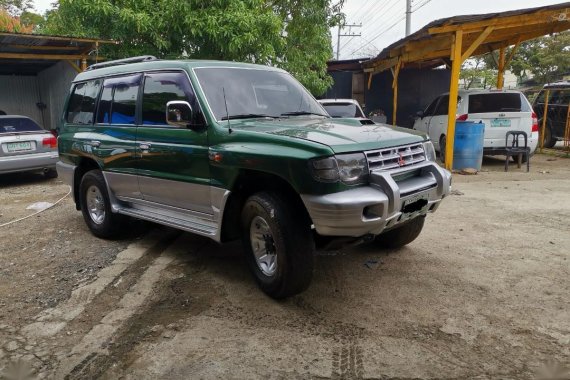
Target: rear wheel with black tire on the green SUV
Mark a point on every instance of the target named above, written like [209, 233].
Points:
[110, 224]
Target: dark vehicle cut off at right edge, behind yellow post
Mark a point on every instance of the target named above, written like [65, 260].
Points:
[558, 100]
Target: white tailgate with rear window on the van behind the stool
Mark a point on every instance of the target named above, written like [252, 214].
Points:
[500, 112]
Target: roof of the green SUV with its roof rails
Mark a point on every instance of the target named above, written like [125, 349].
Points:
[160, 64]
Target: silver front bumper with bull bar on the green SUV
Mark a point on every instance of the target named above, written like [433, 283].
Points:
[372, 209]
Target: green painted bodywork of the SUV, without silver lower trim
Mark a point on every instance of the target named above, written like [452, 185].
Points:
[282, 147]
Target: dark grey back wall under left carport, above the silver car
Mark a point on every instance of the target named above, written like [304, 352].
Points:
[19, 95]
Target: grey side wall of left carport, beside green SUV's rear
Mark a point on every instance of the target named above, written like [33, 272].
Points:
[54, 85]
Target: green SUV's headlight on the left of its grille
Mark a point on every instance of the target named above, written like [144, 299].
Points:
[351, 169]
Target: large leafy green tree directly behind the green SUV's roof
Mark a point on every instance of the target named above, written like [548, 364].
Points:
[293, 34]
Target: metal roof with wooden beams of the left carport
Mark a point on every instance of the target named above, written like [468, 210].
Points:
[28, 54]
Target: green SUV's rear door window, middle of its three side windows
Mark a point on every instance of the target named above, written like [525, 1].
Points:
[118, 102]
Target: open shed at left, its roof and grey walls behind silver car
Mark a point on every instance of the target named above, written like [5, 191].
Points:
[36, 72]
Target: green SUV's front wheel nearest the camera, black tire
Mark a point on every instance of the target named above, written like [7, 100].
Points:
[290, 239]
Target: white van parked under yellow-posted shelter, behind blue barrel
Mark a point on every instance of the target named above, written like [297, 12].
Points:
[500, 110]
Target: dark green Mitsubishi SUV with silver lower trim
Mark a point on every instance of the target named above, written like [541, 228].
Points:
[232, 150]
